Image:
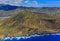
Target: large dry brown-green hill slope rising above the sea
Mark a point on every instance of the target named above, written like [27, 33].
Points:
[27, 23]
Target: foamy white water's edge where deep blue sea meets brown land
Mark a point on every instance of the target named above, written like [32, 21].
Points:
[27, 37]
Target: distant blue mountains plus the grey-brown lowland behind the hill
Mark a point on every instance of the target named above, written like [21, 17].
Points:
[8, 10]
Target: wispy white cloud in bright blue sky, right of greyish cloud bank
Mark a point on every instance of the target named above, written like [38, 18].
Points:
[30, 3]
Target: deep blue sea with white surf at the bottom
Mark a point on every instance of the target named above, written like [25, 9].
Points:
[35, 38]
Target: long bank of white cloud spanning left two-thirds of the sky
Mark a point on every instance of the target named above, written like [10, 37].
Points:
[20, 2]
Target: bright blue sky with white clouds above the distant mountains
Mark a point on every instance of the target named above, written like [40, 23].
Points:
[32, 3]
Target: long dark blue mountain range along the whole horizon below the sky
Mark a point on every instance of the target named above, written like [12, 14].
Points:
[12, 7]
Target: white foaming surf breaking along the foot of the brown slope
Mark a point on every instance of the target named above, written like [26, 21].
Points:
[26, 37]
